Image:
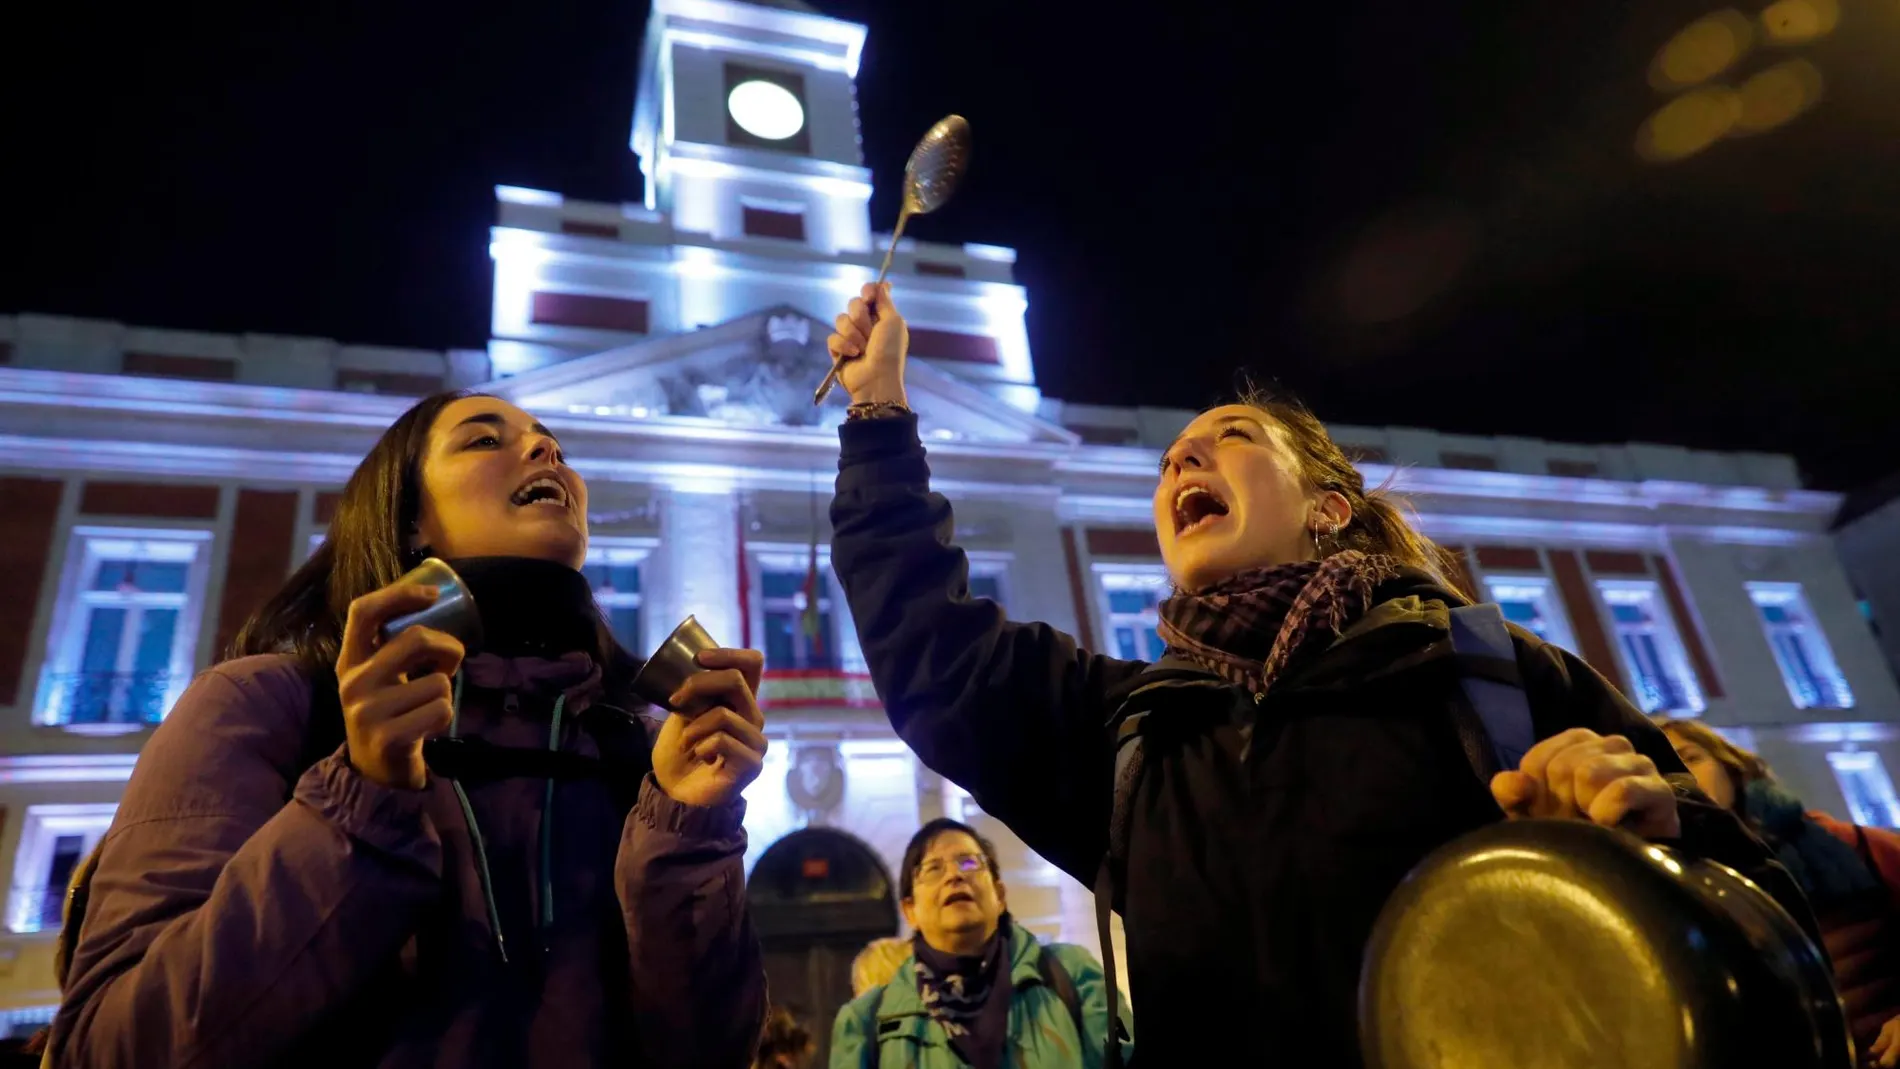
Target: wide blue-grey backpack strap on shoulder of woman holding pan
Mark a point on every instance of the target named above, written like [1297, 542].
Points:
[1496, 732]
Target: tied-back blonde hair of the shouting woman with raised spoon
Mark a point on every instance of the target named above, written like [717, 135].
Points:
[1380, 517]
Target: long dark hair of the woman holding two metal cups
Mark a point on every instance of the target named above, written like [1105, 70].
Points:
[368, 550]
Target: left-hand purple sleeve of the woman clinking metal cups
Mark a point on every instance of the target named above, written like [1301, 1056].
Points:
[225, 924]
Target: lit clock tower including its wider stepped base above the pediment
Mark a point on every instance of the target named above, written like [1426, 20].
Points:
[757, 206]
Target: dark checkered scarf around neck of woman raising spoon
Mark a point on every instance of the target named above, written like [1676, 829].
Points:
[1249, 628]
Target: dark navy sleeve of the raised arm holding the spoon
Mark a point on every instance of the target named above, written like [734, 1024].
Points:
[1014, 713]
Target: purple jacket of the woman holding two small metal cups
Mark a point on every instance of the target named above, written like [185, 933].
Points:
[349, 928]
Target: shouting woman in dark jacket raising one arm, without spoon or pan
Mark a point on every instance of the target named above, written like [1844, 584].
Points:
[1301, 751]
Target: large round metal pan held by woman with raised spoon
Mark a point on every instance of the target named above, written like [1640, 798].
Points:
[1565, 945]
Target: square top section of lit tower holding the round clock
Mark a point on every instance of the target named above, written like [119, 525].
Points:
[746, 122]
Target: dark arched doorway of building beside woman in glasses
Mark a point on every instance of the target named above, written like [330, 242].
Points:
[818, 897]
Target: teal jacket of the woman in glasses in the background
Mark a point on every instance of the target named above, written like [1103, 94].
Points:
[886, 1028]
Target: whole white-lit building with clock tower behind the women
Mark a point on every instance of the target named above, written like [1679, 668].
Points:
[162, 483]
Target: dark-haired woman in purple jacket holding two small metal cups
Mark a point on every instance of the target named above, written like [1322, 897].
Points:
[265, 905]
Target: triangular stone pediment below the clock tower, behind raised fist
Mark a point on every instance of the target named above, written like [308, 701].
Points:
[757, 371]
